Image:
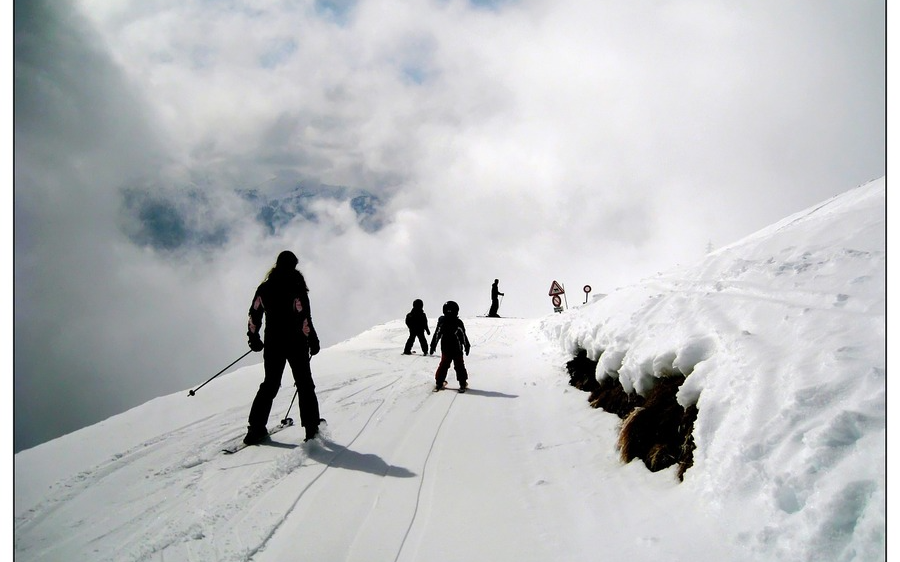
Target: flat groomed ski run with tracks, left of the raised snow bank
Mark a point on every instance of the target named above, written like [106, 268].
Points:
[382, 476]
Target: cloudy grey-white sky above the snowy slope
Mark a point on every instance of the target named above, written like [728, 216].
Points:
[584, 141]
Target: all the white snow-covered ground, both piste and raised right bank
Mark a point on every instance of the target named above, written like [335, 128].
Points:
[783, 338]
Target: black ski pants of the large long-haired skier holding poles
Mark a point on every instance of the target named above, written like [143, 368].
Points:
[274, 360]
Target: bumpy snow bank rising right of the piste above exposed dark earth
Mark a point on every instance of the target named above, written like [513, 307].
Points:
[783, 336]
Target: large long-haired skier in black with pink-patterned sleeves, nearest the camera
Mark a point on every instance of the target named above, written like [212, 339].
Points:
[290, 337]
